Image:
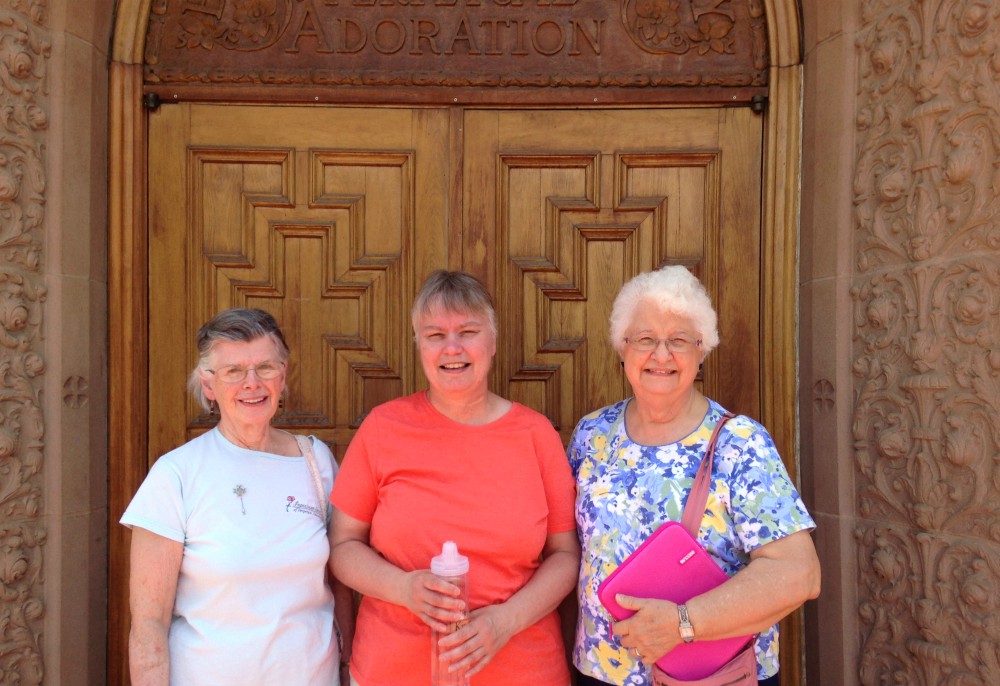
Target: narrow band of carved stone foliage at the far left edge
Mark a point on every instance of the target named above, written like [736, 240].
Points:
[24, 52]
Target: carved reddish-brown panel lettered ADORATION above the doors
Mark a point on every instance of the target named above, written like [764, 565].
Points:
[458, 43]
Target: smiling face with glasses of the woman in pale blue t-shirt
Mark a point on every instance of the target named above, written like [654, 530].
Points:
[252, 400]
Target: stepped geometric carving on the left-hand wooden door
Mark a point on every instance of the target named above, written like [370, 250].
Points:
[327, 267]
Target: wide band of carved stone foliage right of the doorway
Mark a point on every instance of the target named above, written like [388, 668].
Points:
[927, 347]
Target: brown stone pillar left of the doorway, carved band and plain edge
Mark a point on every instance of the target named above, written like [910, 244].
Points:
[53, 358]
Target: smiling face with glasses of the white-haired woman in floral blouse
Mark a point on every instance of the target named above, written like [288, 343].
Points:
[660, 372]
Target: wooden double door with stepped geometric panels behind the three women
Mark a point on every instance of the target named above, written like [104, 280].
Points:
[330, 218]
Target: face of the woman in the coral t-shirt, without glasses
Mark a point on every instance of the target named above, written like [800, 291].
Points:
[456, 349]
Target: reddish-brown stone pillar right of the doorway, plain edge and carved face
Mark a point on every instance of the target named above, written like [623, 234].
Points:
[901, 339]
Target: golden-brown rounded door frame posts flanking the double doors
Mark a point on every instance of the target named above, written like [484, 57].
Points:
[128, 284]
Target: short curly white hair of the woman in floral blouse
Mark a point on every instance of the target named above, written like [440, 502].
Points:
[674, 289]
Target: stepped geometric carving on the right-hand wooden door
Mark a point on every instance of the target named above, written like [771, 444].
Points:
[572, 227]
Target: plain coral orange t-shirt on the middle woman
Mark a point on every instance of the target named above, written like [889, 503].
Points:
[497, 490]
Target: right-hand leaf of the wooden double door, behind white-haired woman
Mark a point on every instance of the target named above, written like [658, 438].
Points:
[562, 207]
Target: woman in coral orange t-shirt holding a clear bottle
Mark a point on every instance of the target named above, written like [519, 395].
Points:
[456, 463]
